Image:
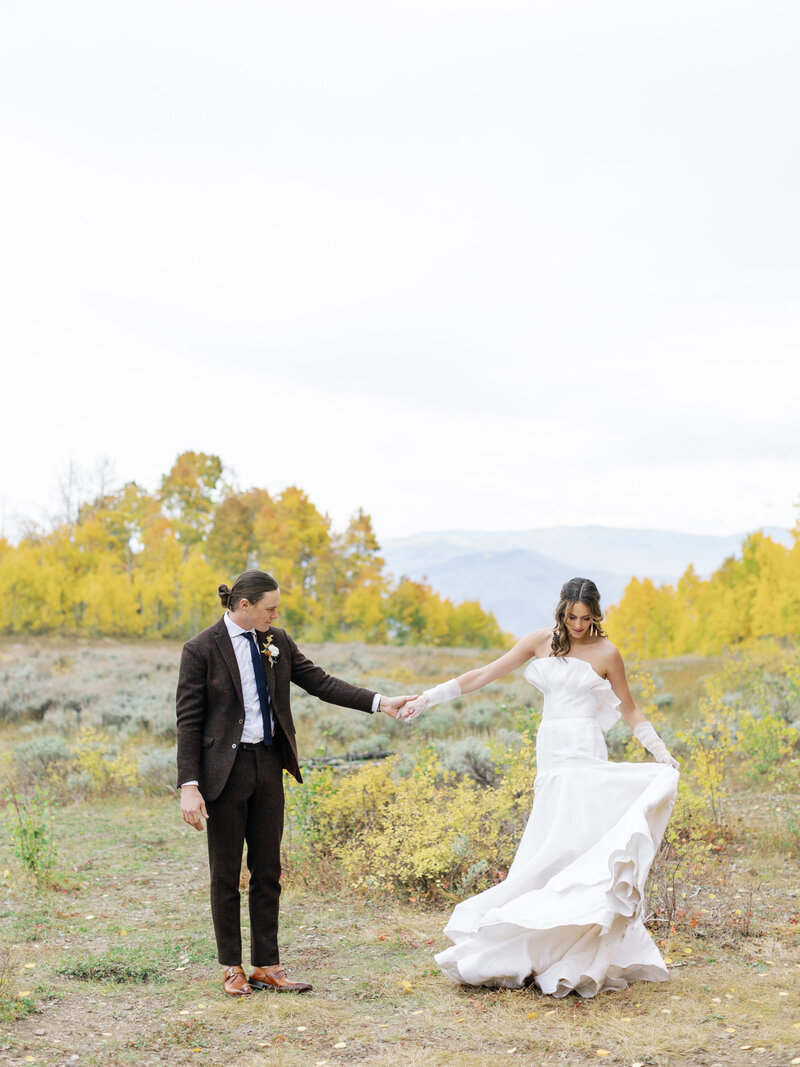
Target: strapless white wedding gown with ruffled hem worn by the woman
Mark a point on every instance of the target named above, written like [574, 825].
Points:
[569, 916]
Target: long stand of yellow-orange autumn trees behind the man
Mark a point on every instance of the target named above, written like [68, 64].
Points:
[135, 564]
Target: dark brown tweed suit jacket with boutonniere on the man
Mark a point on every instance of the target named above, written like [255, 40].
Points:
[211, 707]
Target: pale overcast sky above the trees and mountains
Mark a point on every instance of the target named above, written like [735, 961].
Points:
[476, 264]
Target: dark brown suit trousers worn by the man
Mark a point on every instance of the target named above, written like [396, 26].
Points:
[250, 809]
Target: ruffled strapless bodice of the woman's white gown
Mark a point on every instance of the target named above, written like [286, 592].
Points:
[573, 690]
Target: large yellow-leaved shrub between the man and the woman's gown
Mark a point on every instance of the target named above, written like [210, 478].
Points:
[431, 833]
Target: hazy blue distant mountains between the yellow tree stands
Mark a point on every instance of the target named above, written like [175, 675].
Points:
[518, 576]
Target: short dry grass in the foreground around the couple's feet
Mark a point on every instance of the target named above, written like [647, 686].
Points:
[134, 890]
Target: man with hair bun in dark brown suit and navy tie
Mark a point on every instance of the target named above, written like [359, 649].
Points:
[236, 737]
